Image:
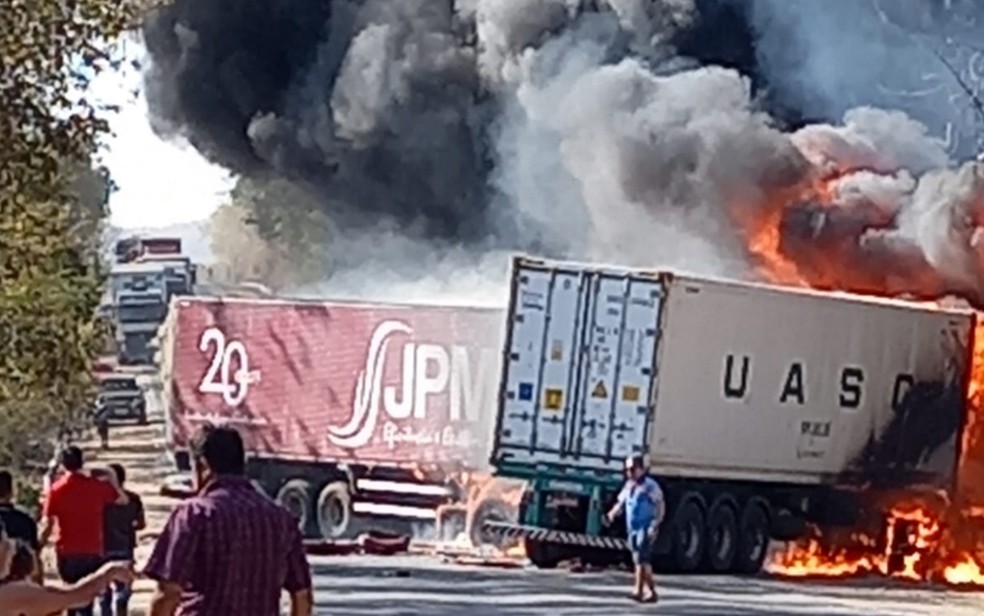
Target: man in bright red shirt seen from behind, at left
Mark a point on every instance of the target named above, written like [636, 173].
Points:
[76, 504]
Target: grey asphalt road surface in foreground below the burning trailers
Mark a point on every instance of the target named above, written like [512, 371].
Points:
[388, 586]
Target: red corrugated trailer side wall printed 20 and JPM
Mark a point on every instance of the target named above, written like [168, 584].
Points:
[335, 381]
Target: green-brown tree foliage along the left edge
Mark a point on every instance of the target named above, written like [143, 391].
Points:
[50, 280]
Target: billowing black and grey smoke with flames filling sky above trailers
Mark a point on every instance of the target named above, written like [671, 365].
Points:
[816, 141]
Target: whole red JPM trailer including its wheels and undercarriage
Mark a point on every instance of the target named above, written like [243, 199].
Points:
[354, 414]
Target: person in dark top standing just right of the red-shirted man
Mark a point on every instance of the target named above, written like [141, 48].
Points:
[121, 524]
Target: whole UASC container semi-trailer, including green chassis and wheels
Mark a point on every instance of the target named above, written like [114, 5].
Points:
[759, 409]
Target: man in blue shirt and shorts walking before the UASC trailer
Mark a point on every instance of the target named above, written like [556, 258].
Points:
[642, 500]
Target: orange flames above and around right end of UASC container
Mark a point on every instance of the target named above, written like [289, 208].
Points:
[945, 544]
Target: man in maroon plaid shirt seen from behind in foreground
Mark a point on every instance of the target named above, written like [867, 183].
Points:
[228, 550]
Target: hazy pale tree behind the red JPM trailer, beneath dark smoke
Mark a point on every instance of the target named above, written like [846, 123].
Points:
[255, 239]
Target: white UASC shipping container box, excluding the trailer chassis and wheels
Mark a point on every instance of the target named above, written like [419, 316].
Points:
[725, 380]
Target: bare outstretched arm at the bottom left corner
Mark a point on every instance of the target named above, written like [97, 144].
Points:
[30, 598]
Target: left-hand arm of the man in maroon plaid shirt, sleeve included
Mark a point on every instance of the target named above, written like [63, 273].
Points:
[174, 562]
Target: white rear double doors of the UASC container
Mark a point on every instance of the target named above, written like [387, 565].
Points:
[579, 366]
